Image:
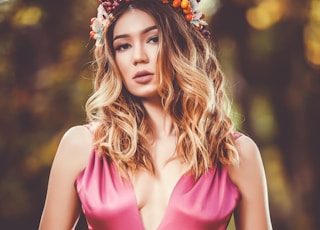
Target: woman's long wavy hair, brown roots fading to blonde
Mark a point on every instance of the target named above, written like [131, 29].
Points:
[191, 88]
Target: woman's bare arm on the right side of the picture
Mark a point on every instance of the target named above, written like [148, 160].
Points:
[253, 209]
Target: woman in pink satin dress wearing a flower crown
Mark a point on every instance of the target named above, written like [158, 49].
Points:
[160, 151]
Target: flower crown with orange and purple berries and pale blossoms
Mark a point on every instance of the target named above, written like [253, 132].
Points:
[190, 9]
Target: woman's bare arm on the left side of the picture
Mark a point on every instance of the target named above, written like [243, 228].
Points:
[62, 207]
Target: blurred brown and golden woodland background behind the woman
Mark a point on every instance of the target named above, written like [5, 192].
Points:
[269, 51]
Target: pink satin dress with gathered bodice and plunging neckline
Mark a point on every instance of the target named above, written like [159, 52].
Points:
[109, 203]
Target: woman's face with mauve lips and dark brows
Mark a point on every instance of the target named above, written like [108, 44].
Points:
[135, 41]
